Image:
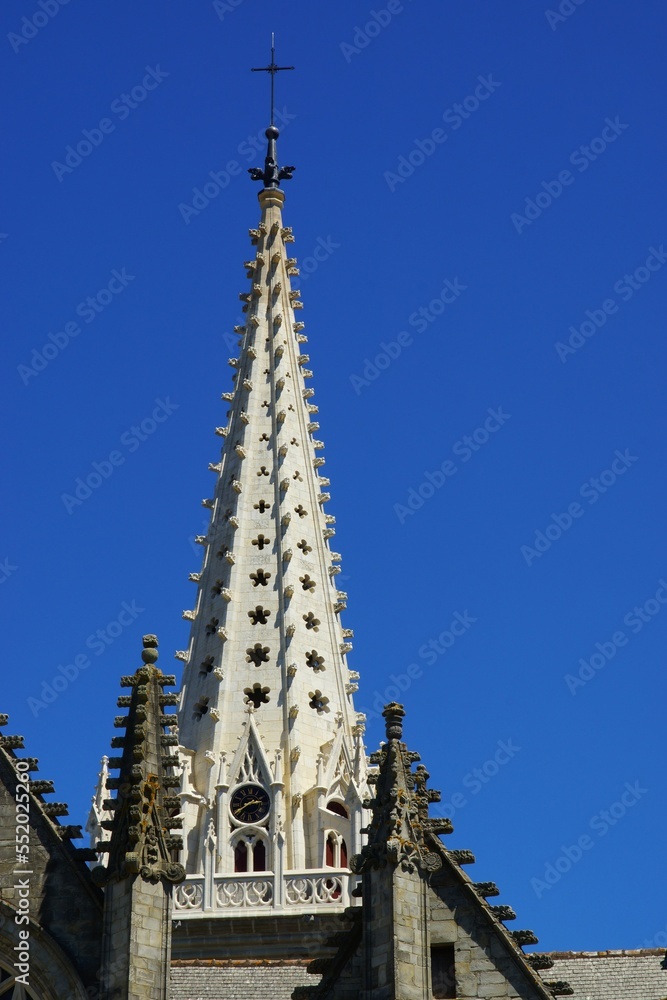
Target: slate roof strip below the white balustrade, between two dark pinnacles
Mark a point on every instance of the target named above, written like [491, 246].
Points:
[226, 979]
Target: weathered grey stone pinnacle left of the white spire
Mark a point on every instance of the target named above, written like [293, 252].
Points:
[141, 872]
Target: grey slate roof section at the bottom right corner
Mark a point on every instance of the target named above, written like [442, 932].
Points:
[613, 975]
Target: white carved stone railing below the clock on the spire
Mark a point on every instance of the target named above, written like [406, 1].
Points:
[228, 895]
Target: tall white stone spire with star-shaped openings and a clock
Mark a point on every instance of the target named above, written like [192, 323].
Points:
[274, 768]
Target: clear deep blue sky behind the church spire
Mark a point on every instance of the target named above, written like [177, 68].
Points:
[479, 216]
